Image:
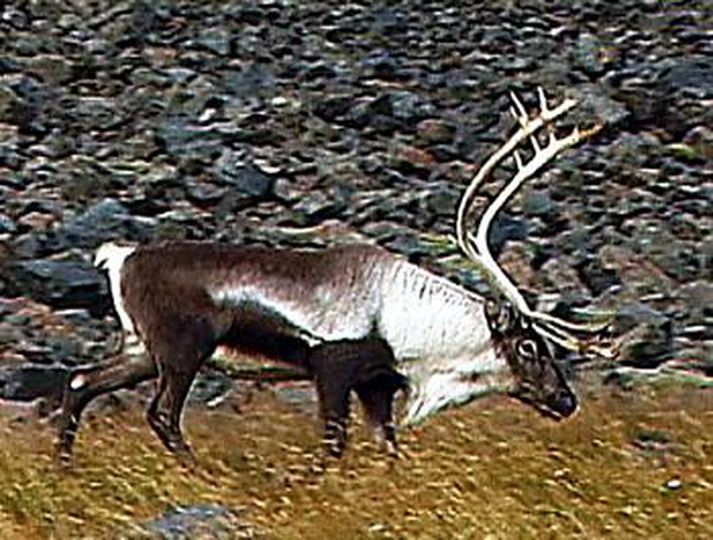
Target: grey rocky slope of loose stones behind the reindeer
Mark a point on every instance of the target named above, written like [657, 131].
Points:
[311, 123]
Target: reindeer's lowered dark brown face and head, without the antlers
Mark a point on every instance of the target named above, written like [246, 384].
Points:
[538, 380]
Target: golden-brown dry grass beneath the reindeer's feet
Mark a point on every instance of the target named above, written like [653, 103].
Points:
[492, 470]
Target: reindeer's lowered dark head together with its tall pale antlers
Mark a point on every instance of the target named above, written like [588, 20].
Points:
[521, 334]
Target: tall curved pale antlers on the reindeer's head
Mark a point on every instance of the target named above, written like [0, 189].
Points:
[476, 247]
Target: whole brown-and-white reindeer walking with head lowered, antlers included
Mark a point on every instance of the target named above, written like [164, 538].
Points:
[354, 318]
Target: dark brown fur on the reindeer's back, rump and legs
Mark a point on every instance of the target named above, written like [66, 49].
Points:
[165, 289]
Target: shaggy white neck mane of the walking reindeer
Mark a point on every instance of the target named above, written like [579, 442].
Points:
[440, 337]
